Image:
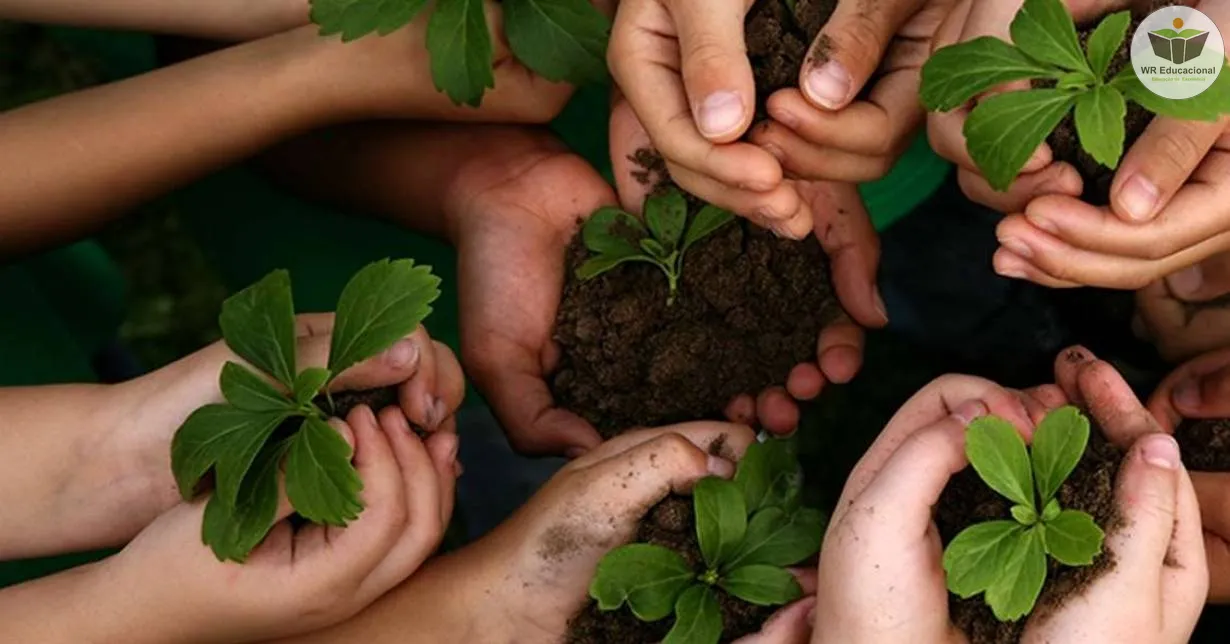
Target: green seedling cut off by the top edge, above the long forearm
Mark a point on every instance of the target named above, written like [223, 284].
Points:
[563, 41]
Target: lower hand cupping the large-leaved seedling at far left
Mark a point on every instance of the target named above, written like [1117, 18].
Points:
[297, 581]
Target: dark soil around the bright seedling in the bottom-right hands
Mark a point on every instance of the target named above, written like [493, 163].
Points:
[969, 501]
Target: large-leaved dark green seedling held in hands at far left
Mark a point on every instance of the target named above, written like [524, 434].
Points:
[245, 442]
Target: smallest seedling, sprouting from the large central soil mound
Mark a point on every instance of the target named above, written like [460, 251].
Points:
[616, 237]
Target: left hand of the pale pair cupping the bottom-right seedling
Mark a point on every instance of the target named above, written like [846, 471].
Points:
[883, 534]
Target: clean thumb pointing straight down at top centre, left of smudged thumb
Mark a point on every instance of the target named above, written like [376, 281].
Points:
[716, 71]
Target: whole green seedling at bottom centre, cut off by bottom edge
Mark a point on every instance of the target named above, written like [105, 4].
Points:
[748, 529]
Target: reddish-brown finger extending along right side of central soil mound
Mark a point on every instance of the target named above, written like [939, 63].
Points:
[846, 233]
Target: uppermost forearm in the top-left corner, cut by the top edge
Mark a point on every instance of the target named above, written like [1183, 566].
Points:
[231, 20]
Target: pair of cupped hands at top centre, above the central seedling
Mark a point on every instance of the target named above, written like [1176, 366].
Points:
[686, 73]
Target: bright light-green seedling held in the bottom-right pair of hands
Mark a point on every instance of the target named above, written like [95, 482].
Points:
[1007, 560]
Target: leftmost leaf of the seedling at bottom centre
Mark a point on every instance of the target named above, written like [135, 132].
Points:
[649, 578]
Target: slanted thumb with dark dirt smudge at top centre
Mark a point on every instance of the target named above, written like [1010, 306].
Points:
[849, 50]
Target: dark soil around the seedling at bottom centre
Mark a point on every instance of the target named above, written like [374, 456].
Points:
[670, 524]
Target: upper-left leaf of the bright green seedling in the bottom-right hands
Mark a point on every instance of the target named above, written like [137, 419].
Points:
[998, 454]
